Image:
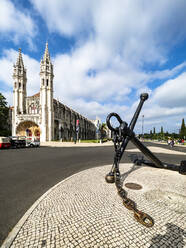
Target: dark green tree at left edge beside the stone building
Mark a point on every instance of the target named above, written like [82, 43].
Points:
[4, 111]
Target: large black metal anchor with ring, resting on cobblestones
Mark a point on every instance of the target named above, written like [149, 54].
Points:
[123, 134]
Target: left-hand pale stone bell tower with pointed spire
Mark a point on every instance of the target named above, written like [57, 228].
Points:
[19, 90]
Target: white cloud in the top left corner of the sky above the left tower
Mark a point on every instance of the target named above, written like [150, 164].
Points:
[15, 24]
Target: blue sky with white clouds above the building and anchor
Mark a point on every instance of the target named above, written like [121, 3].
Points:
[105, 53]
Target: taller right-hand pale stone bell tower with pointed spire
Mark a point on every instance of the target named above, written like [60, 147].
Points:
[46, 97]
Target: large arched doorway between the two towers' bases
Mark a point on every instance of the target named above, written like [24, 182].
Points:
[29, 129]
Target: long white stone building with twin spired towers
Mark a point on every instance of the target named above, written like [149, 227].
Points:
[41, 115]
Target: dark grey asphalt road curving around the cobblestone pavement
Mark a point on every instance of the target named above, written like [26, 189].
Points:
[26, 174]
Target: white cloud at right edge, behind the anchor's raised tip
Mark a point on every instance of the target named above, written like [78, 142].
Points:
[166, 105]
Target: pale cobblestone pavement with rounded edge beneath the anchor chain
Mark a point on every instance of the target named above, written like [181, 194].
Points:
[85, 211]
